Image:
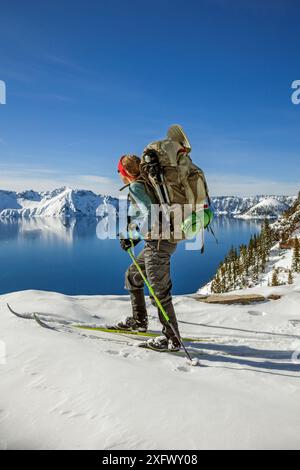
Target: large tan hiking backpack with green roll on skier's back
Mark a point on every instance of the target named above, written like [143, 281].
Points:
[167, 167]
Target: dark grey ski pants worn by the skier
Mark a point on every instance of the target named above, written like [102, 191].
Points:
[154, 261]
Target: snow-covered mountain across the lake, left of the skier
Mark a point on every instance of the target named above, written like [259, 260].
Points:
[63, 202]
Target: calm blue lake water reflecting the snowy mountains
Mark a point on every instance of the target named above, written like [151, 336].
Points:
[67, 257]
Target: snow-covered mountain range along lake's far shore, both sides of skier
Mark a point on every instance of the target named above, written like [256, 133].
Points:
[67, 202]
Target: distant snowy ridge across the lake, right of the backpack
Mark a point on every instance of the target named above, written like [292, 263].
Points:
[236, 206]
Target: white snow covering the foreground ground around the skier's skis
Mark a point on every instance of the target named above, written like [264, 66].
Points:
[88, 390]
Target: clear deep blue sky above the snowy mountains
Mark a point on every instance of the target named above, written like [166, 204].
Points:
[88, 81]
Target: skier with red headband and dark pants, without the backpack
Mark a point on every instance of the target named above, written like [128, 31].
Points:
[154, 260]
